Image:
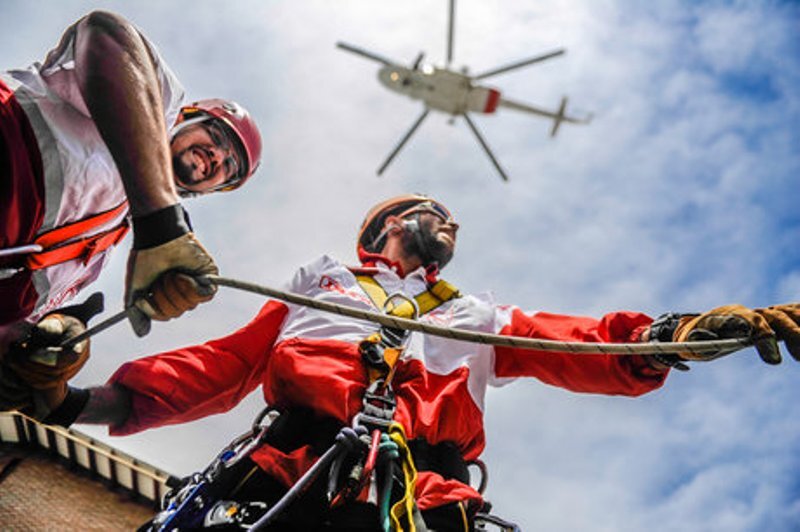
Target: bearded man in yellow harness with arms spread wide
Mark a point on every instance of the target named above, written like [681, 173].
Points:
[317, 369]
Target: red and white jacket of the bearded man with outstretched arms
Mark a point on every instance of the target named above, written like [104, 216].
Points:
[308, 358]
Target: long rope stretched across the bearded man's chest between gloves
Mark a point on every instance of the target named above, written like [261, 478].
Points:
[576, 348]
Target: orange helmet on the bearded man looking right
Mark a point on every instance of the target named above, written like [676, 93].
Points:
[370, 234]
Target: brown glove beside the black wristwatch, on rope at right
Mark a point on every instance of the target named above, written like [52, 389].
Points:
[731, 321]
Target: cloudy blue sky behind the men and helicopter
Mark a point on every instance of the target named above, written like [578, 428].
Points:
[681, 196]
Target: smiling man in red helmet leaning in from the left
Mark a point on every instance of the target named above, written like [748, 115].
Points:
[85, 151]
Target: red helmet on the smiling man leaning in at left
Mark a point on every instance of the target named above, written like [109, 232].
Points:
[243, 126]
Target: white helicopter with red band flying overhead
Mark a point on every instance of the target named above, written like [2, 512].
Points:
[456, 92]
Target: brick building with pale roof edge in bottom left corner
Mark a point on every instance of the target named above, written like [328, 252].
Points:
[62, 480]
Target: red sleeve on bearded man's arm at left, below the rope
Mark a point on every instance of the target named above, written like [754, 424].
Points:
[193, 382]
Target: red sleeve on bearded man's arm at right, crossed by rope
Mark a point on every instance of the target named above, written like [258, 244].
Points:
[604, 374]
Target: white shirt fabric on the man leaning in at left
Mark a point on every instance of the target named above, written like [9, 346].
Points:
[80, 176]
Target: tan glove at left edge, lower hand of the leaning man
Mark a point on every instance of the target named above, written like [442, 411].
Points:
[43, 367]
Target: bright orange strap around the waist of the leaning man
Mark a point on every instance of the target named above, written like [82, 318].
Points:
[66, 243]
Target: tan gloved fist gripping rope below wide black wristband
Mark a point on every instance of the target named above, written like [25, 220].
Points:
[160, 282]
